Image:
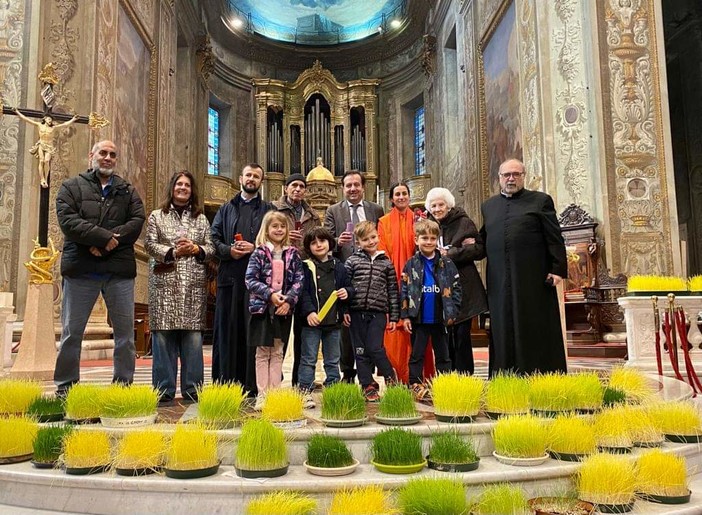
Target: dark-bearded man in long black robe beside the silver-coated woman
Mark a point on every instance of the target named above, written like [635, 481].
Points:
[234, 231]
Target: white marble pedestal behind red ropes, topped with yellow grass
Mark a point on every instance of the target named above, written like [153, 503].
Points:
[641, 333]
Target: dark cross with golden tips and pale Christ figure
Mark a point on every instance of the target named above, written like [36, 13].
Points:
[44, 149]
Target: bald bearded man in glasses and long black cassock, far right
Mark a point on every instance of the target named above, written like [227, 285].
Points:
[526, 260]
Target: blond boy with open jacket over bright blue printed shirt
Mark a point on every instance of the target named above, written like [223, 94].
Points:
[429, 302]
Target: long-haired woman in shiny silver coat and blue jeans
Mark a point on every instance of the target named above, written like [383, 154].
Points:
[178, 241]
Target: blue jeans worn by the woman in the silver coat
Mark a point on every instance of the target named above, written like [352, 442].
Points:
[167, 346]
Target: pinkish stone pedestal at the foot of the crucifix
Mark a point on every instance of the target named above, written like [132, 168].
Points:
[37, 353]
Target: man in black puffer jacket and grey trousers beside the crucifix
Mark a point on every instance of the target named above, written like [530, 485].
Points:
[101, 216]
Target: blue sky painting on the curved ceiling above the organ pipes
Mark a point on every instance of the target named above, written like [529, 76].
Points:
[316, 22]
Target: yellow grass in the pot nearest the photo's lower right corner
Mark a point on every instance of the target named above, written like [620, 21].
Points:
[661, 473]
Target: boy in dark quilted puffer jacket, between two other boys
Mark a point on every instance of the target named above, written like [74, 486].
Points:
[373, 279]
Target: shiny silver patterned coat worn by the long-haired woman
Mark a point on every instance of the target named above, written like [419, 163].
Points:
[177, 297]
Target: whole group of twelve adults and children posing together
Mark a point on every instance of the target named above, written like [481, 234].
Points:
[392, 292]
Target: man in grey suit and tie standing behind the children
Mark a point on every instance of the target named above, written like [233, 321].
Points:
[351, 210]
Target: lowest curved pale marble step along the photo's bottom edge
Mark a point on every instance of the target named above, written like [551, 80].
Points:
[21, 485]
